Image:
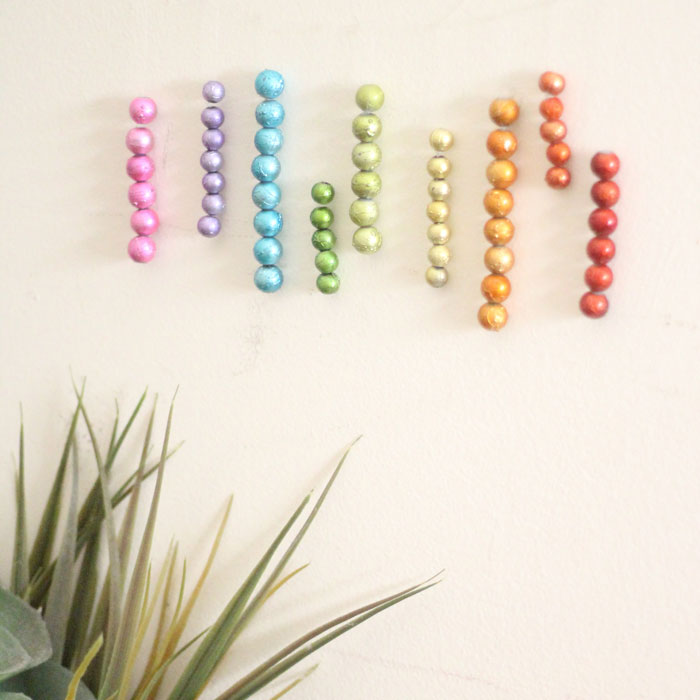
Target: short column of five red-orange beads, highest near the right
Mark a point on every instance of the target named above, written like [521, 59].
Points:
[553, 130]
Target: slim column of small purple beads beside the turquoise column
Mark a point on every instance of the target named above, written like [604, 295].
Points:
[212, 160]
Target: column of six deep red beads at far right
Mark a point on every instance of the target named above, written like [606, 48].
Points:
[603, 222]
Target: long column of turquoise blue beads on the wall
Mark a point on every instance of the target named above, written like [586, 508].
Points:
[266, 168]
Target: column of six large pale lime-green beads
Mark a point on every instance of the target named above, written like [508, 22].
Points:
[366, 184]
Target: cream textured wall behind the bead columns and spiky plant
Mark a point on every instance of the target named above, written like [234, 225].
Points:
[551, 469]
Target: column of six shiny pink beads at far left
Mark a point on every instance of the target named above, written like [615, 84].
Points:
[140, 168]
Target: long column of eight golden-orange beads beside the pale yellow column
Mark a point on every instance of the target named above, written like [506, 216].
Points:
[498, 203]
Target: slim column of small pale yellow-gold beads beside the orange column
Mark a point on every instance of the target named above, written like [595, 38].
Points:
[438, 211]
